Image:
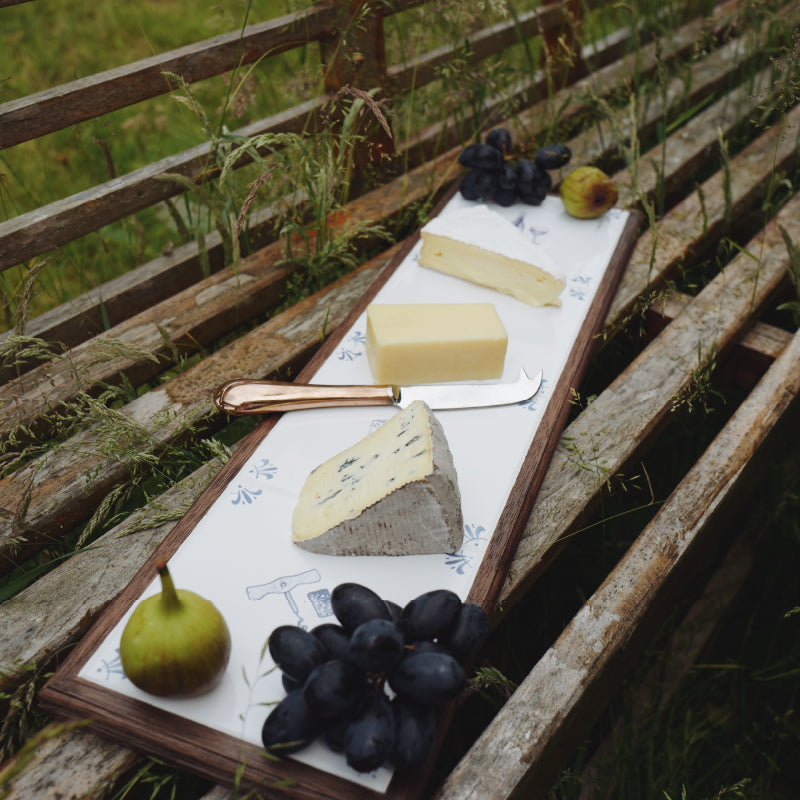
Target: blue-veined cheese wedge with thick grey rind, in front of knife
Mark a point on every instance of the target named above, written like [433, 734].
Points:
[394, 493]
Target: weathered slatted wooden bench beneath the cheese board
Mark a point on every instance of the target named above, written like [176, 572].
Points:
[137, 328]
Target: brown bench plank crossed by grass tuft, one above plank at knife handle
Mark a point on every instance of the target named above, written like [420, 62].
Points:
[186, 320]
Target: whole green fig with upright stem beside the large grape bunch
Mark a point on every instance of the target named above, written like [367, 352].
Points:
[175, 643]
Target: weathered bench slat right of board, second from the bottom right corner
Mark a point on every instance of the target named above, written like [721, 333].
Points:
[632, 410]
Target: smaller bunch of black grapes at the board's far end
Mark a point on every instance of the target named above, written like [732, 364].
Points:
[493, 178]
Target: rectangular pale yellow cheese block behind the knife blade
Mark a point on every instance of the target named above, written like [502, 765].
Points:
[410, 343]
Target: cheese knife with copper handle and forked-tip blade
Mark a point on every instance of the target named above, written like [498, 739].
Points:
[246, 396]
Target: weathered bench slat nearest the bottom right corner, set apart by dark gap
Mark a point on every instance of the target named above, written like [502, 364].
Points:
[521, 751]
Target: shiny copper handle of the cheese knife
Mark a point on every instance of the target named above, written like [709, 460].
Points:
[247, 396]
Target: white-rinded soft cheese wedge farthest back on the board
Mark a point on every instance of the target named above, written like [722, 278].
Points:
[481, 246]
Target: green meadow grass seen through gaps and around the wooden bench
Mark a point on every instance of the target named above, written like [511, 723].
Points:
[731, 730]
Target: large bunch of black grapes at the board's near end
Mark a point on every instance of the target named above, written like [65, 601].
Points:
[336, 676]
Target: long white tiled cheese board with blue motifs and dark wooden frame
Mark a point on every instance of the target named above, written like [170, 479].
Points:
[234, 545]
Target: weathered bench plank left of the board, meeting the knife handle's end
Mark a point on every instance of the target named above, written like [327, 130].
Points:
[45, 498]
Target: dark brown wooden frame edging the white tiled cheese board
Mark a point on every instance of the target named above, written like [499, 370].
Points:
[226, 759]
